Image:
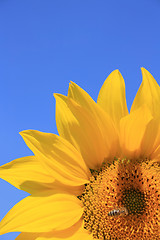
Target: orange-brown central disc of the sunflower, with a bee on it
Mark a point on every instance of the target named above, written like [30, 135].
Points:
[129, 185]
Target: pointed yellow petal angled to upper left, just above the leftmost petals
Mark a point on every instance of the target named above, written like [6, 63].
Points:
[62, 160]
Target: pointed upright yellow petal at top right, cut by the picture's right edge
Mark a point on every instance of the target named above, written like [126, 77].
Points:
[149, 94]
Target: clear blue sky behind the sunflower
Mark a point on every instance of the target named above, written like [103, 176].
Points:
[45, 44]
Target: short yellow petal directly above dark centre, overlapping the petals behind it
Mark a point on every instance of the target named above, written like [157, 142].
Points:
[132, 130]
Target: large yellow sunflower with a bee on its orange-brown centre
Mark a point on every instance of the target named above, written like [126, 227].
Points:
[100, 178]
